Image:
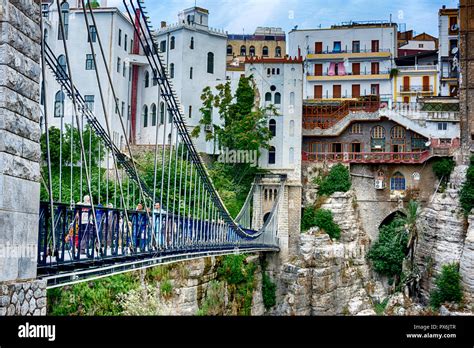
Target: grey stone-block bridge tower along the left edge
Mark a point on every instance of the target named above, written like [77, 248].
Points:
[20, 155]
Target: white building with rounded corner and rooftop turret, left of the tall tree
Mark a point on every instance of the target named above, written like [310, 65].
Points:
[195, 58]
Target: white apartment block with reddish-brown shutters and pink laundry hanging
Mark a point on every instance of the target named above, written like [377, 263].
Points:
[346, 61]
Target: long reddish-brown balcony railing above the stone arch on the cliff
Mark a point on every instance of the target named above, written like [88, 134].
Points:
[367, 157]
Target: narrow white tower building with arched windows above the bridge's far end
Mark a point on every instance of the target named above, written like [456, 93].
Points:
[280, 83]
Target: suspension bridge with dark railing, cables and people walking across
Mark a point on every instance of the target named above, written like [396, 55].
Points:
[179, 217]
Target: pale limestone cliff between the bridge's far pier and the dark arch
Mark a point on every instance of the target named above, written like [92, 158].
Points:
[331, 277]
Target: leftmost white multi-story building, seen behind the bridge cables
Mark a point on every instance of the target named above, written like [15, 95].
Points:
[117, 32]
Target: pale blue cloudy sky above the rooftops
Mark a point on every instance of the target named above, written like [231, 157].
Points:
[237, 16]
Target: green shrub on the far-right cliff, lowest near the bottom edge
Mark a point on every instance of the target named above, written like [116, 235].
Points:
[448, 287]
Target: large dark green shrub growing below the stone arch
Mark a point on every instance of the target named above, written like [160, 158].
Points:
[388, 252]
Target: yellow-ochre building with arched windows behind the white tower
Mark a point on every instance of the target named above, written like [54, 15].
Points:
[266, 42]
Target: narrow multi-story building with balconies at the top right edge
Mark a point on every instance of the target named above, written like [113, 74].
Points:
[448, 51]
